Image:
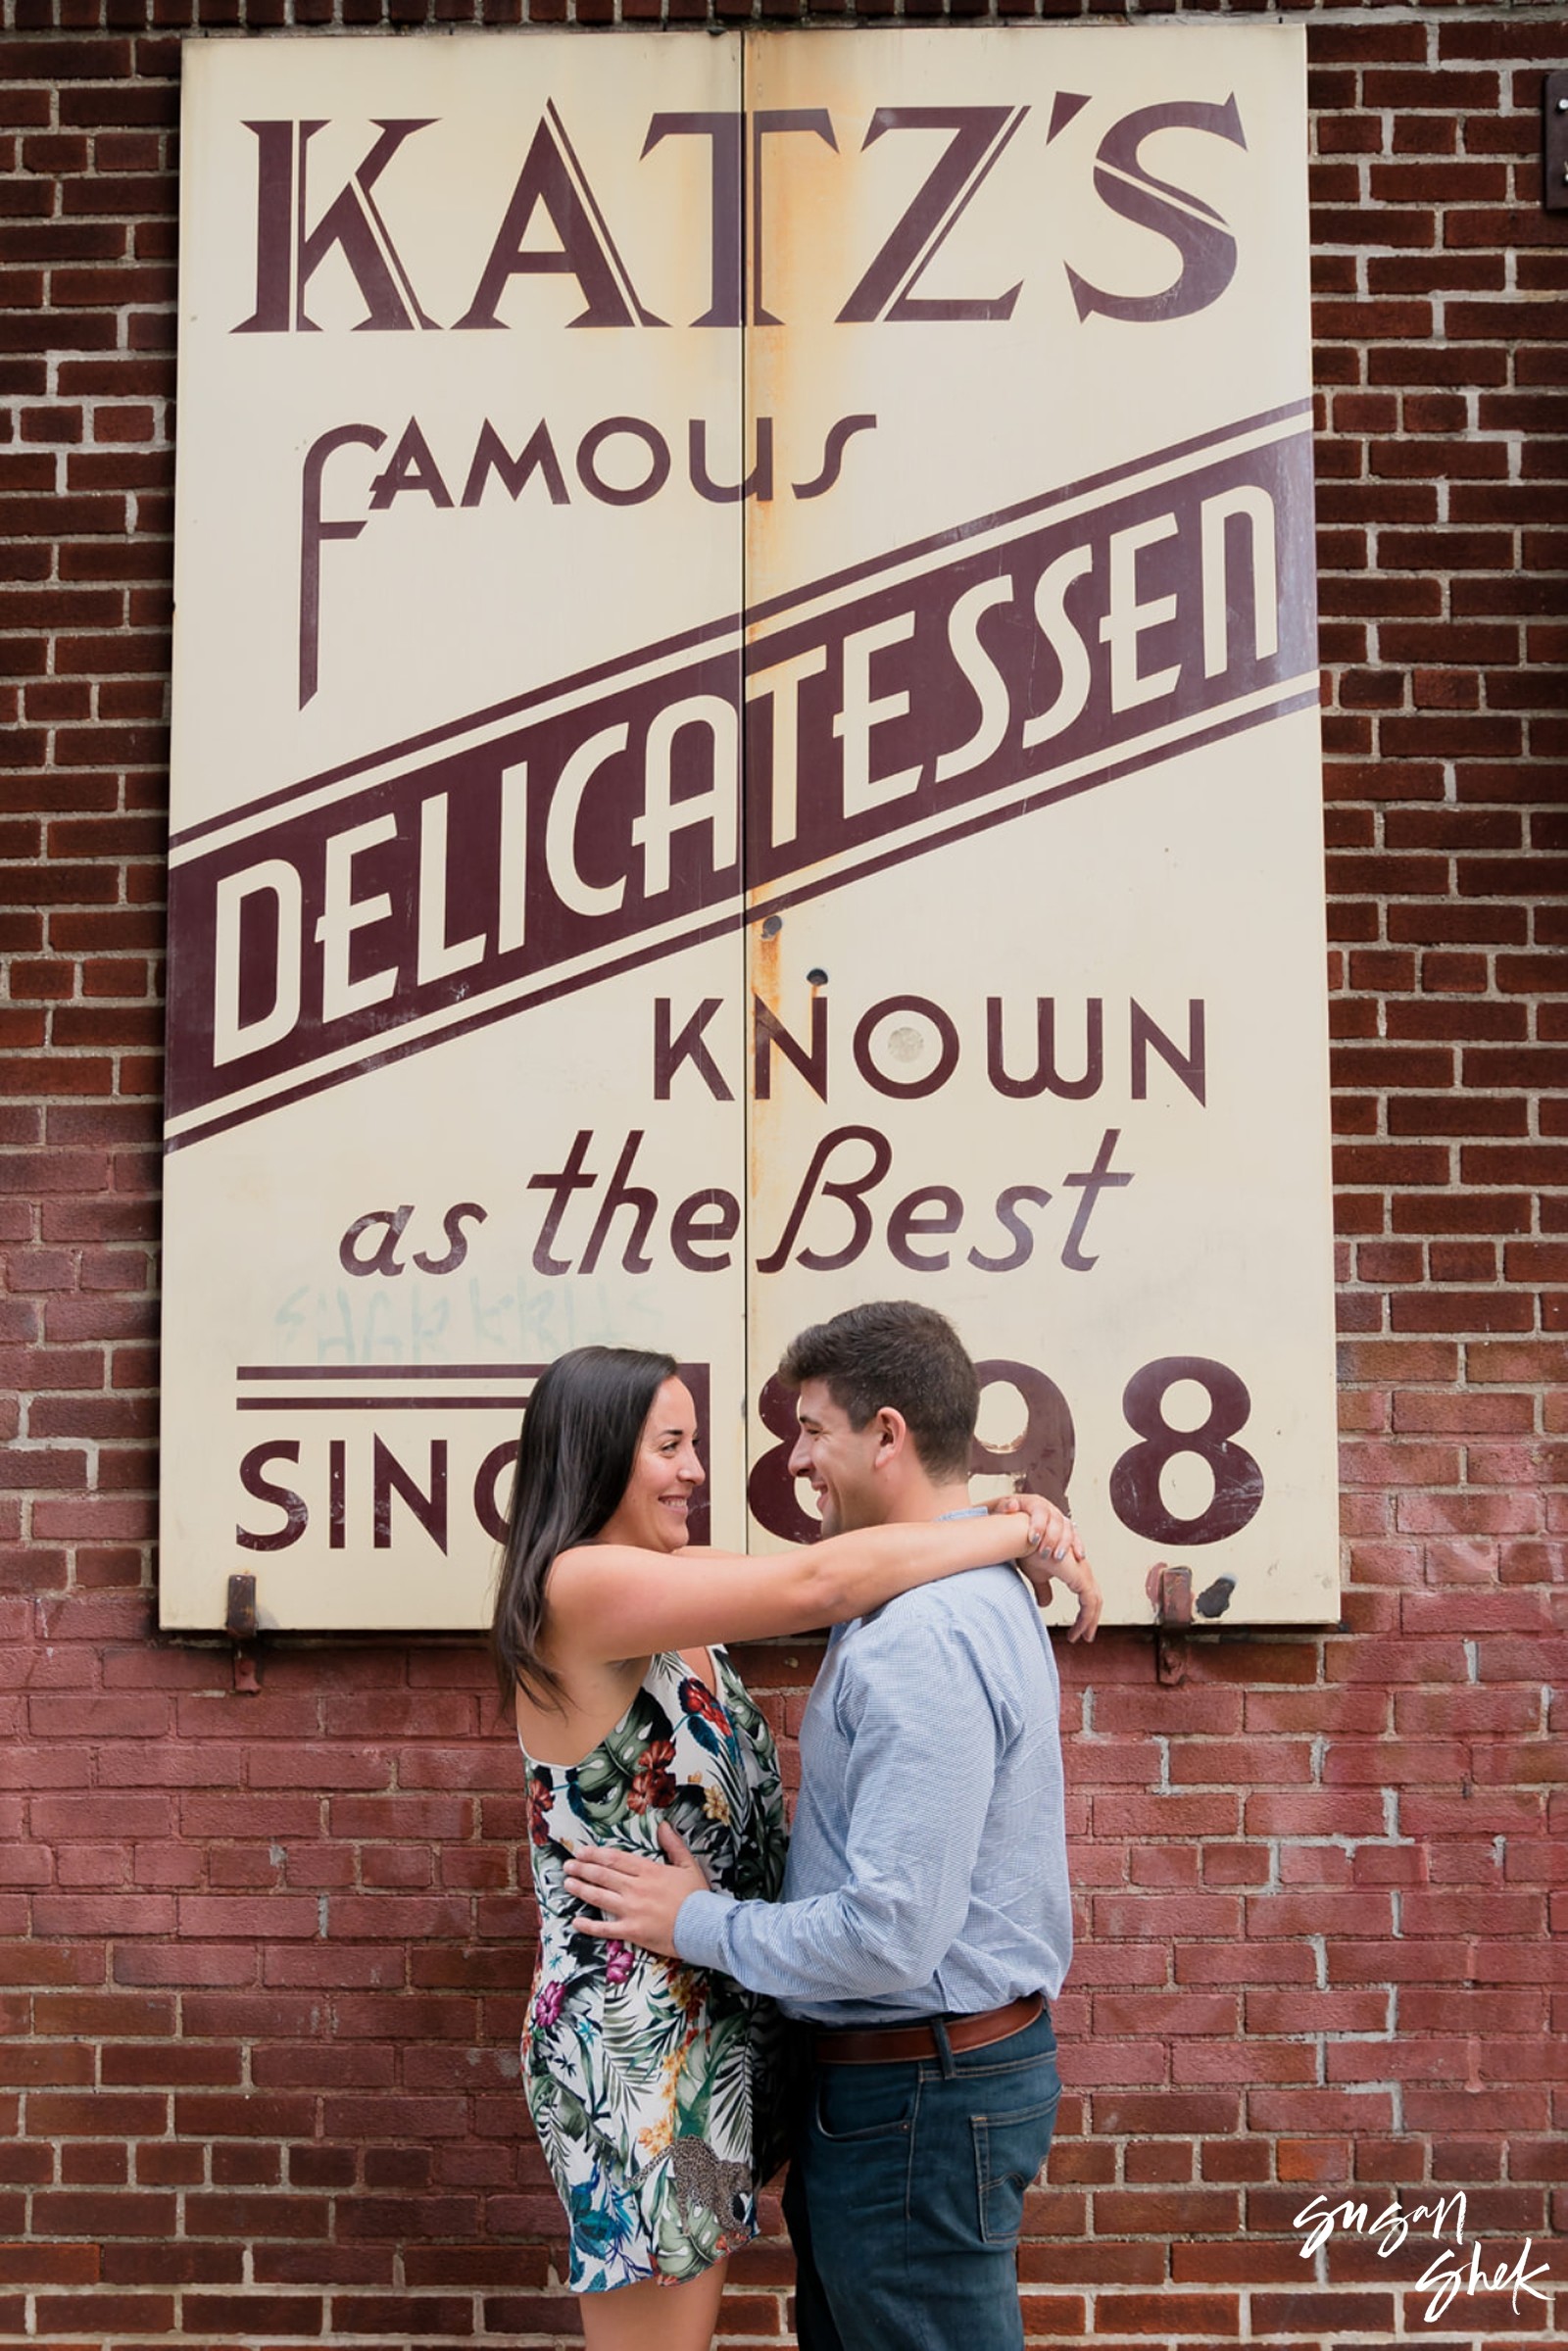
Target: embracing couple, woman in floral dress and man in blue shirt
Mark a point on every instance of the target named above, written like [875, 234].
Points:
[923, 1922]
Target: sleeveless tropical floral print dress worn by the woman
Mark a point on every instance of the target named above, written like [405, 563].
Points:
[652, 2084]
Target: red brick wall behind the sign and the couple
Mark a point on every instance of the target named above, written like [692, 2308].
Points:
[262, 1957]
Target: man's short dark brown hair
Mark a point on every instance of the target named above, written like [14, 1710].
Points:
[904, 1358]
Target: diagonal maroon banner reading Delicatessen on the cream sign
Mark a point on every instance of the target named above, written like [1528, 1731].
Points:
[676, 793]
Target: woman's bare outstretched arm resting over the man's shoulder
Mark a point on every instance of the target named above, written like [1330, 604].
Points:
[610, 1600]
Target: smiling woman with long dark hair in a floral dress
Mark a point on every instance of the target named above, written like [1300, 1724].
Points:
[648, 2079]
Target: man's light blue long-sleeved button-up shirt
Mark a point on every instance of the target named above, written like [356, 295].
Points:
[930, 1858]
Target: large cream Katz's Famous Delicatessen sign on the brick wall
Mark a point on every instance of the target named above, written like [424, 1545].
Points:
[744, 739]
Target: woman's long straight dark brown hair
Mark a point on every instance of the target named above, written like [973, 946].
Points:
[579, 1442]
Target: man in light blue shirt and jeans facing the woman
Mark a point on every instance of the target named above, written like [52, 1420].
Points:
[925, 1922]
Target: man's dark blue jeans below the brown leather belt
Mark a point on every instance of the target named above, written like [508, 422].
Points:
[906, 2197]
